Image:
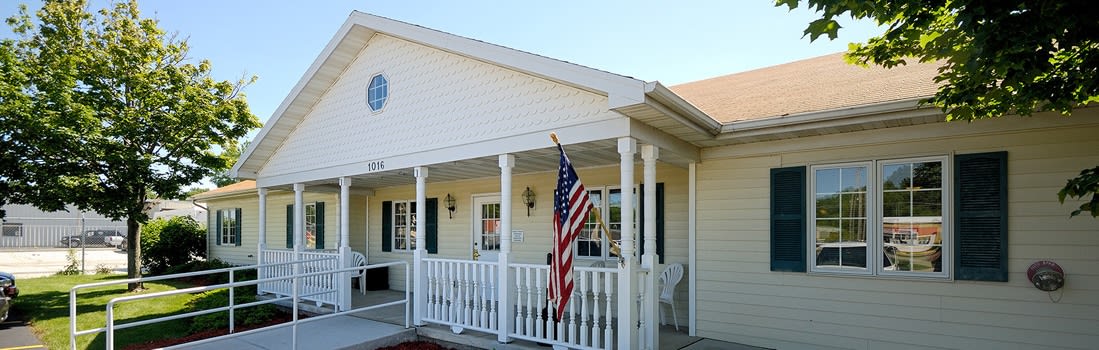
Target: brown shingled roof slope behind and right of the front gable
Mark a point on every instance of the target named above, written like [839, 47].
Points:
[818, 84]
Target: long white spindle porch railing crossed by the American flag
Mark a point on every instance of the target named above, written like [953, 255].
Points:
[464, 296]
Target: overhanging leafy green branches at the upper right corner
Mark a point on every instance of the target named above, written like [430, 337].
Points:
[998, 58]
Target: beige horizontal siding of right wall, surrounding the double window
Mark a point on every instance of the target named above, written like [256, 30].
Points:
[740, 300]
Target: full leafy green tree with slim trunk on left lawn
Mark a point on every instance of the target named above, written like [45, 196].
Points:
[105, 110]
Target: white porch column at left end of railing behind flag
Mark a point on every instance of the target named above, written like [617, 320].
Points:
[420, 274]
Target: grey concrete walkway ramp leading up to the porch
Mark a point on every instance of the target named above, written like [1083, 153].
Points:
[336, 333]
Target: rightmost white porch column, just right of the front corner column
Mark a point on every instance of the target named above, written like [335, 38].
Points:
[649, 155]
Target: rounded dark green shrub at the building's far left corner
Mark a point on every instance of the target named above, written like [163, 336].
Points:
[172, 243]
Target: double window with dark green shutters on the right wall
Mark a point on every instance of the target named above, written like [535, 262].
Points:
[891, 218]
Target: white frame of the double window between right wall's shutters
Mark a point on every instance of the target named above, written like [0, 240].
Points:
[874, 220]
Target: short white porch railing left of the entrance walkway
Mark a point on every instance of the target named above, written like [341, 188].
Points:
[320, 289]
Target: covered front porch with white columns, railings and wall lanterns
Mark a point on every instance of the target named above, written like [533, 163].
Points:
[475, 279]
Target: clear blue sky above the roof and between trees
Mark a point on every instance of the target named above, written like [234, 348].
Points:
[669, 41]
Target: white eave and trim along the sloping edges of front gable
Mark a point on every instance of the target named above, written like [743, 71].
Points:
[357, 32]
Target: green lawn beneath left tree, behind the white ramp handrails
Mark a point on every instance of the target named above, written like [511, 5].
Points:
[45, 303]
